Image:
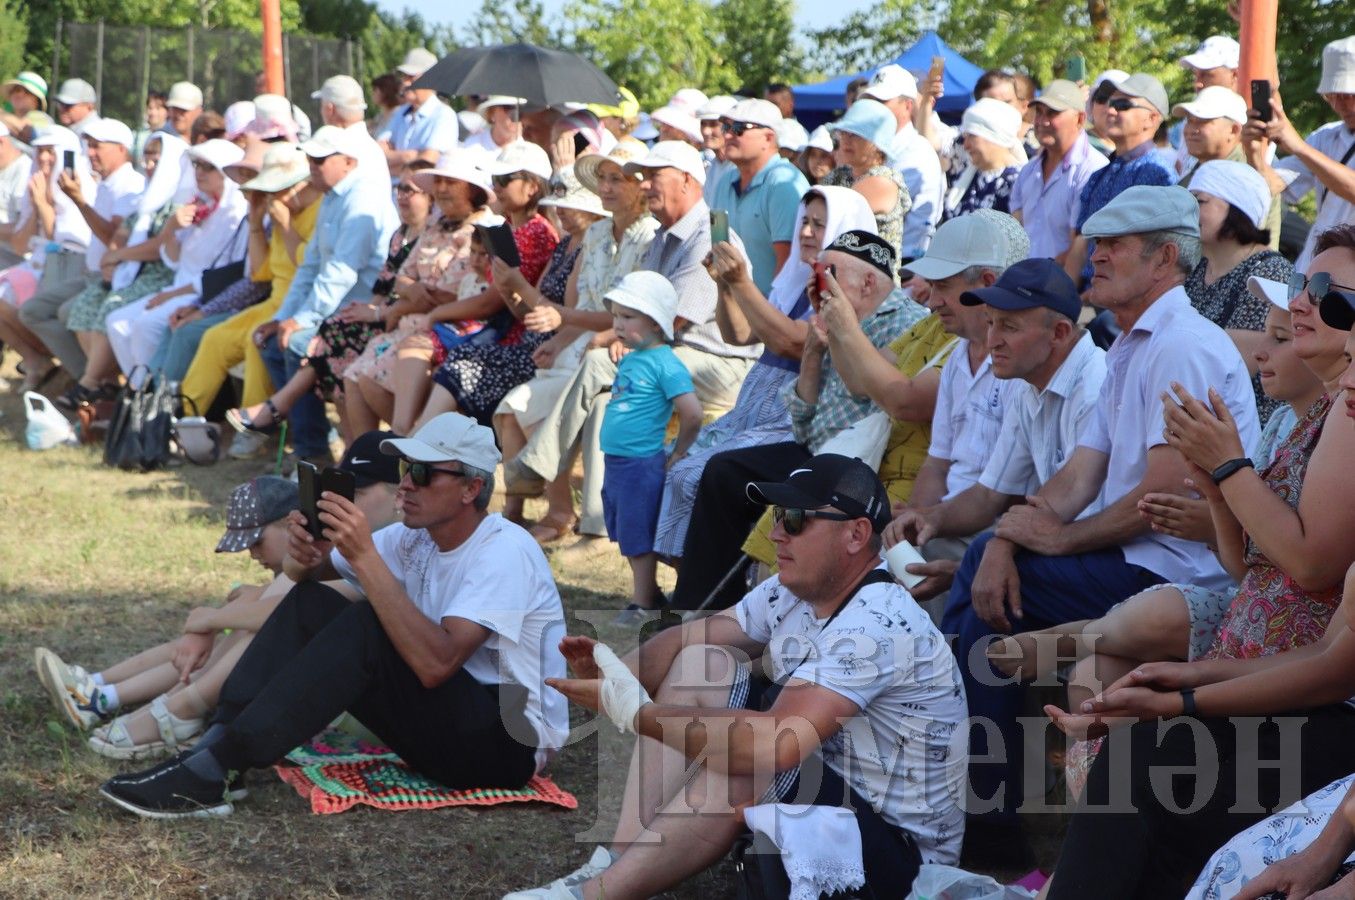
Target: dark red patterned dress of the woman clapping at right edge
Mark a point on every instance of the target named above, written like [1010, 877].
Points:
[1272, 613]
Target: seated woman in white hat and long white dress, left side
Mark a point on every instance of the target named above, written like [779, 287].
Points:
[207, 234]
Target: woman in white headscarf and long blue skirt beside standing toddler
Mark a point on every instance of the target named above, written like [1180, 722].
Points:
[780, 323]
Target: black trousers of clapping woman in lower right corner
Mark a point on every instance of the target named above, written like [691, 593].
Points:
[1151, 852]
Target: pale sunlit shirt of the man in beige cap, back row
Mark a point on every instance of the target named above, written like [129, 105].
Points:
[1047, 208]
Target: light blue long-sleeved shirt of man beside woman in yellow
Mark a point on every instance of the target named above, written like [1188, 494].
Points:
[346, 251]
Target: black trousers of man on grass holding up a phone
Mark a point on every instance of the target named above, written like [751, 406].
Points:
[320, 655]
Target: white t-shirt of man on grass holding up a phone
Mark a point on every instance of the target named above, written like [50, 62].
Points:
[499, 579]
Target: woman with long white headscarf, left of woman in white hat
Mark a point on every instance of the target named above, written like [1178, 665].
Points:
[132, 268]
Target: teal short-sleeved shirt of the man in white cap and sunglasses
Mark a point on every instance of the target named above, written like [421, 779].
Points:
[762, 215]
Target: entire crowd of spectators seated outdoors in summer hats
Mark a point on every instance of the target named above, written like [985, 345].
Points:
[1058, 353]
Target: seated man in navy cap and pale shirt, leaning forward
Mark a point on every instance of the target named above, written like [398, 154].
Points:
[1033, 337]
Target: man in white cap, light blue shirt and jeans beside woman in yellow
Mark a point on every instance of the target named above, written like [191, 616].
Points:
[343, 258]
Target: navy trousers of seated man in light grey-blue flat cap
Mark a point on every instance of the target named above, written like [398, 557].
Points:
[1055, 590]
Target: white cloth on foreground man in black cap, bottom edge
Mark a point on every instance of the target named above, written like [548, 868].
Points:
[820, 846]
